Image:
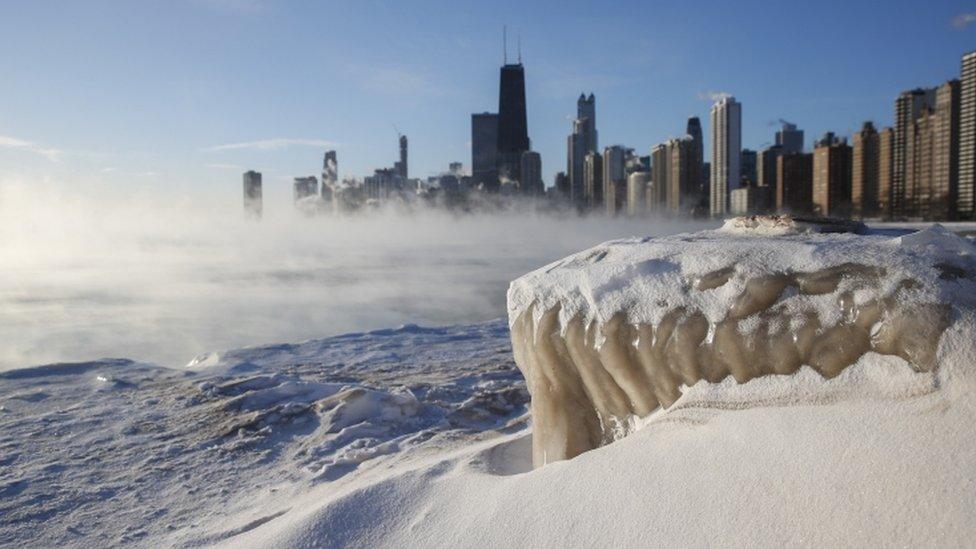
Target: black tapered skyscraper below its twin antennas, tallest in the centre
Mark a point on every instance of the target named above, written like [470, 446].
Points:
[513, 132]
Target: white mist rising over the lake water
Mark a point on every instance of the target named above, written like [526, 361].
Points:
[158, 276]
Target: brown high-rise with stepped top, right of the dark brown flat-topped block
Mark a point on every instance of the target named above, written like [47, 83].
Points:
[832, 177]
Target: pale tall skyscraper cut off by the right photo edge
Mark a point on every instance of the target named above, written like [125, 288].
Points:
[966, 193]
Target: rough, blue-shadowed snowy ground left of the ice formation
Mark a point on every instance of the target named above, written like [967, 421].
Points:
[115, 452]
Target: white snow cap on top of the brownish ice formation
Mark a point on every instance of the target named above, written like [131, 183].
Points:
[649, 277]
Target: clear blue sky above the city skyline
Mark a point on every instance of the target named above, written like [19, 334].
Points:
[195, 91]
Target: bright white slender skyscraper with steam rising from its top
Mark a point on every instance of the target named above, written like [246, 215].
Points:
[726, 152]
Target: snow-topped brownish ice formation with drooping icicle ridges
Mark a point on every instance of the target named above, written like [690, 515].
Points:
[611, 334]
